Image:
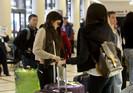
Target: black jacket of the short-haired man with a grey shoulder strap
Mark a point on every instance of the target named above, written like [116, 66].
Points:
[22, 43]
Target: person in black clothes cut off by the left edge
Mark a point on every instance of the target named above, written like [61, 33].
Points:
[3, 53]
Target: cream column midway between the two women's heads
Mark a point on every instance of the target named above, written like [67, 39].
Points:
[75, 16]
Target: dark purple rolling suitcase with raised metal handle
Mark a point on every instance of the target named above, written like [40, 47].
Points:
[71, 87]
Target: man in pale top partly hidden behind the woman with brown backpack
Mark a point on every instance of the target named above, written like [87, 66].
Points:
[118, 78]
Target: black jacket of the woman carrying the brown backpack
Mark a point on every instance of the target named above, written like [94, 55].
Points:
[91, 36]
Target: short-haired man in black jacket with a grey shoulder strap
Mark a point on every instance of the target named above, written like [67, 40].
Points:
[26, 46]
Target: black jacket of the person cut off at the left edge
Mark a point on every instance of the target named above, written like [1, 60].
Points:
[2, 44]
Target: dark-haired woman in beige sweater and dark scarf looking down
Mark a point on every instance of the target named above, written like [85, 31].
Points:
[47, 47]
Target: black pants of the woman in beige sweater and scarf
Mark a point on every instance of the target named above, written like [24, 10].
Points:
[45, 75]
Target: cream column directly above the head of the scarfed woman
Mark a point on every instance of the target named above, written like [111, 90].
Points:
[61, 5]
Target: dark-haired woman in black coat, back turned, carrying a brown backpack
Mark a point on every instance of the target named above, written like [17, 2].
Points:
[95, 32]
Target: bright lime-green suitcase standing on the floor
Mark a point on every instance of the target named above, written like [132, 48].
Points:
[26, 80]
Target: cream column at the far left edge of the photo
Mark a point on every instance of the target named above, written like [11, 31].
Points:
[5, 15]
